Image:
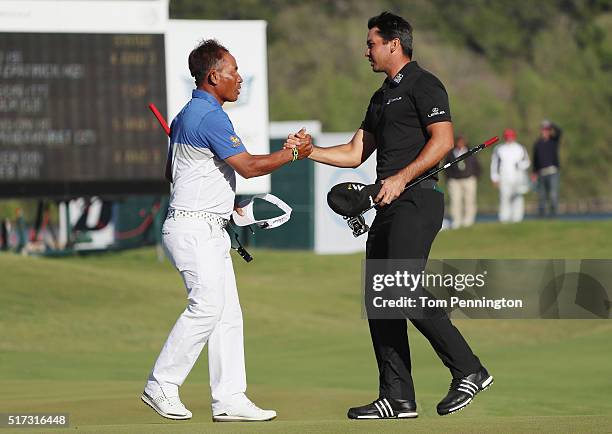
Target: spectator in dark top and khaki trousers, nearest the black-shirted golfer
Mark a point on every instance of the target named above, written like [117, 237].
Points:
[462, 181]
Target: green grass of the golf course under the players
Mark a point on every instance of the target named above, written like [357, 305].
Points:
[80, 334]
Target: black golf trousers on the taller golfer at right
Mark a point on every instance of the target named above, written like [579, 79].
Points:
[405, 229]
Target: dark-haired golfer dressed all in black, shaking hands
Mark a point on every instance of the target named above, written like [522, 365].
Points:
[408, 122]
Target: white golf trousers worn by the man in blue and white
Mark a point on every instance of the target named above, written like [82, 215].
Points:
[200, 252]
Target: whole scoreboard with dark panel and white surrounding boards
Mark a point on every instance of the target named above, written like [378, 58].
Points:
[76, 79]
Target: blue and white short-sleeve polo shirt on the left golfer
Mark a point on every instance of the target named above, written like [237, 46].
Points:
[201, 138]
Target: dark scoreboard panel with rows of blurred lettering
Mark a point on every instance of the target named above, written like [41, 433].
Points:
[73, 114]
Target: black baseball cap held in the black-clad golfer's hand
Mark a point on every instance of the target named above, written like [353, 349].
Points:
[350, 199]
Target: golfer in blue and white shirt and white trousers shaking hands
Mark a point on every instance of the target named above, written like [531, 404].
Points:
[204, 155]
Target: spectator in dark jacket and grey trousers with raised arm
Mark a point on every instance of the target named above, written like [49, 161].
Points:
[546, 168]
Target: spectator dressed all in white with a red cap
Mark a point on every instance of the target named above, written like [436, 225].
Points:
[509, 166]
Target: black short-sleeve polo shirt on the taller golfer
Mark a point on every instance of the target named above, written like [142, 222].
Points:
[399, 113]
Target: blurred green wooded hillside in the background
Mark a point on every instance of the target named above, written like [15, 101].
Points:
[504, 63]
